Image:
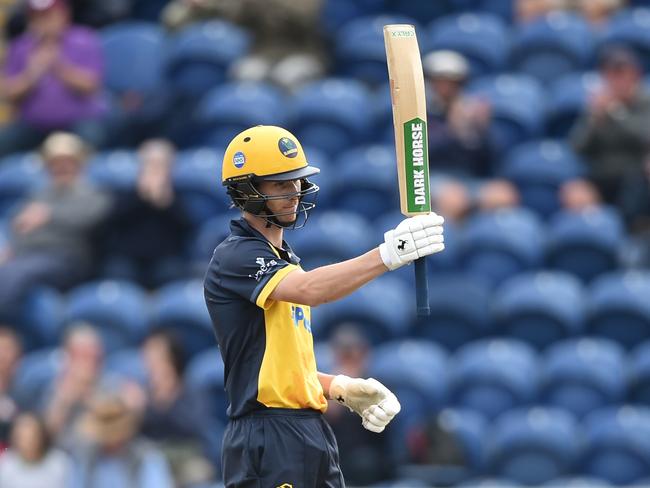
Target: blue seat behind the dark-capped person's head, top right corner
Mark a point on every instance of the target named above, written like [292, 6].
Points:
[632, 28]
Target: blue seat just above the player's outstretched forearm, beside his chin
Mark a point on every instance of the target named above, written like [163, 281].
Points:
[330, 237]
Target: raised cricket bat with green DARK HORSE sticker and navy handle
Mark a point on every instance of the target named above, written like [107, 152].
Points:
[410, 123]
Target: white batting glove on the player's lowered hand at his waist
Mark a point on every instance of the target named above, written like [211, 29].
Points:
[375, 403]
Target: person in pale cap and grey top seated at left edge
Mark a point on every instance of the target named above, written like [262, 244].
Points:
[51, 242]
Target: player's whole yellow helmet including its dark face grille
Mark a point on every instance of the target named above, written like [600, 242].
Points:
[267, 153]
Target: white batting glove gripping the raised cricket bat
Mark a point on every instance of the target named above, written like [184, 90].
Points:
[413, 238]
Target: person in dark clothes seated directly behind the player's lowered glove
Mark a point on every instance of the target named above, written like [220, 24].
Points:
[364, 458]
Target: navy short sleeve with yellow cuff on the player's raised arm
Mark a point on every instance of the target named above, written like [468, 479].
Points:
[251, 269]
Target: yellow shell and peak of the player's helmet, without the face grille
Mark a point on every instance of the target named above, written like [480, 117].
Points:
[265, 152]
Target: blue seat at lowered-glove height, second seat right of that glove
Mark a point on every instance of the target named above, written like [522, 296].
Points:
[494, 375]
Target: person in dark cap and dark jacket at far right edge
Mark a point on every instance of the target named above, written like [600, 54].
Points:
[613, 133]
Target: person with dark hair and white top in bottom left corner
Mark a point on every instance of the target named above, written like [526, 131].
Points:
[31, 461]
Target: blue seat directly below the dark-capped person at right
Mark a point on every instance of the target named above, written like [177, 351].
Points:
[584, 243]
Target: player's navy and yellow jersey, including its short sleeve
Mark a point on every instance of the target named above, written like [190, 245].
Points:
[266, 345]
